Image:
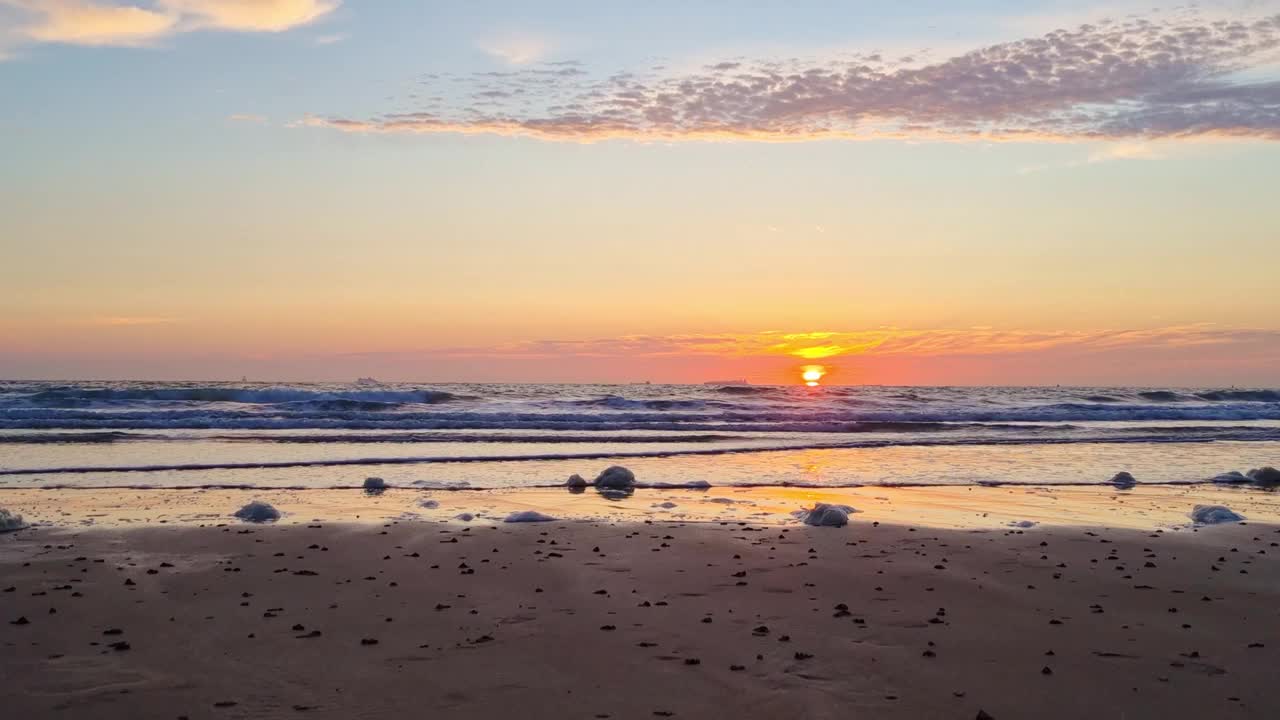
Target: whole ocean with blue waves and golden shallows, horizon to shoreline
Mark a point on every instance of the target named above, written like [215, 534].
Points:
[496, 436]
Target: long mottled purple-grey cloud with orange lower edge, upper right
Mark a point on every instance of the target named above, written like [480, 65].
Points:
[1139, 79]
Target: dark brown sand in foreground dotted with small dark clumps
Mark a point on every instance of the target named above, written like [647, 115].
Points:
[634, 619]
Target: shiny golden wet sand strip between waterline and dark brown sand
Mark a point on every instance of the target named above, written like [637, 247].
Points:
[945, 507]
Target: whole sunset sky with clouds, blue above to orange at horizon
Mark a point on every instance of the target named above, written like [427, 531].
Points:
[917, 193]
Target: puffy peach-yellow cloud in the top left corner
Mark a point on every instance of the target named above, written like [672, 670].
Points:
[100, 24]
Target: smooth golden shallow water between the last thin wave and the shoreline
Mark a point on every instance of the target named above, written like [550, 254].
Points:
[1041, 464]
